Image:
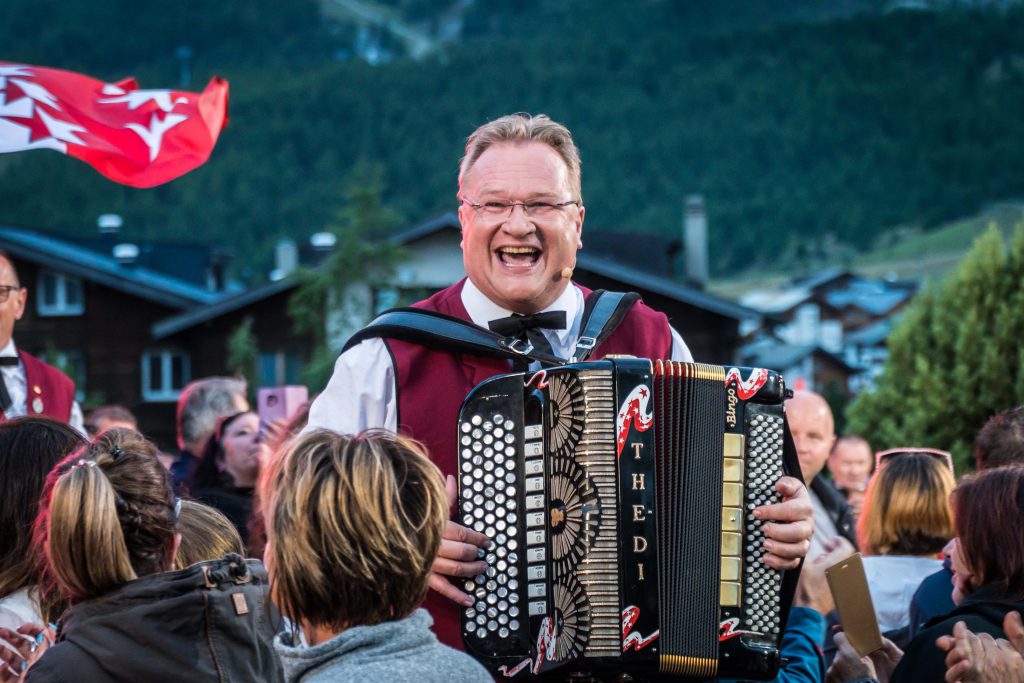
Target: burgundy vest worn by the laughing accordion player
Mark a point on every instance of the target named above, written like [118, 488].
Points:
[433, 386]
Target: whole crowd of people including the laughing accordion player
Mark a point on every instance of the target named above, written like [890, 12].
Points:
[122, 564]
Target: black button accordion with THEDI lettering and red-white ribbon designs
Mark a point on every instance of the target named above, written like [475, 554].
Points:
[620, 495]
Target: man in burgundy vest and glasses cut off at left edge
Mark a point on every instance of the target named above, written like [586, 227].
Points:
[29, 387]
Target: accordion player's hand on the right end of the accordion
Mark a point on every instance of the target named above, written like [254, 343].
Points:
[791, 527]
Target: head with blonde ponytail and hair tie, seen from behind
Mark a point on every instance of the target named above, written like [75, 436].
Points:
[107, 517]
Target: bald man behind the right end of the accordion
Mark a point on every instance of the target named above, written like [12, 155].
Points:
[815, 434]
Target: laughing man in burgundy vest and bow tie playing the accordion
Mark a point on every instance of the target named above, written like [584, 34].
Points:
[522, 214]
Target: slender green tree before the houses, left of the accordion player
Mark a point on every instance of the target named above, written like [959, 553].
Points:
[340, 288]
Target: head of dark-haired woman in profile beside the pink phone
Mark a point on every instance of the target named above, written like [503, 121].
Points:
[233, 455]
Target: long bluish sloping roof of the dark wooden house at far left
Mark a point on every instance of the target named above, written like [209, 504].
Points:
[81, 262]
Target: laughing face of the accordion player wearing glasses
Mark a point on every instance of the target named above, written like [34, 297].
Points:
[518, 262]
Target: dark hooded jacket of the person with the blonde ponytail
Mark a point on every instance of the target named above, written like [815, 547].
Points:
[173, 627]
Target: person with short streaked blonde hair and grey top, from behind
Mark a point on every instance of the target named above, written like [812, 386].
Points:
[354, 526]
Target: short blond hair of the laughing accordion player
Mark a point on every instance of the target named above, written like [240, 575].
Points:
[525, 129]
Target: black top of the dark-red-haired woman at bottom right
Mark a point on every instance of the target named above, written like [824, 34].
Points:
[984, 612]
